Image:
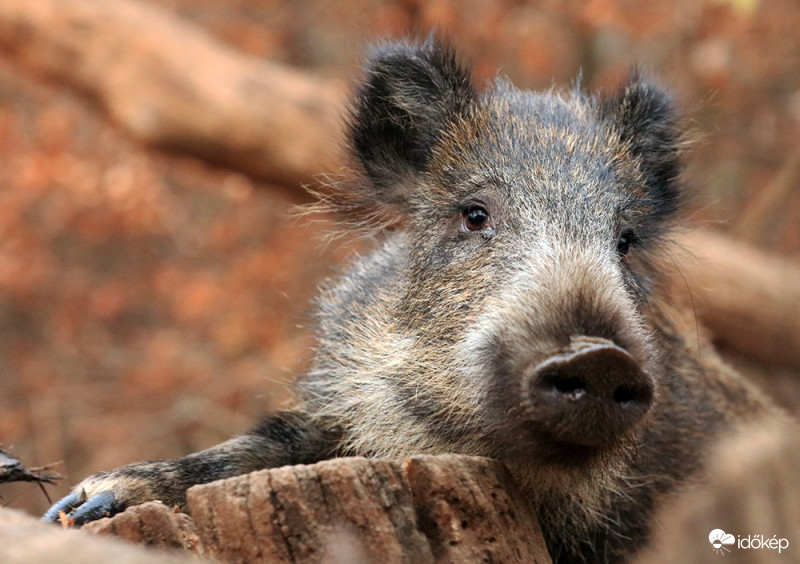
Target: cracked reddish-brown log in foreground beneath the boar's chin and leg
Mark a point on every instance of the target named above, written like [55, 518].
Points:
[430, 509]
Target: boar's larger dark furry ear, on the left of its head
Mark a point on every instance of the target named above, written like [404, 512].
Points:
[411, 94]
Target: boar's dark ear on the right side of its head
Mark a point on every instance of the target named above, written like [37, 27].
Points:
[643, 115]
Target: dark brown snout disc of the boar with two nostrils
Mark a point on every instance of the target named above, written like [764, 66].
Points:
[589, 395]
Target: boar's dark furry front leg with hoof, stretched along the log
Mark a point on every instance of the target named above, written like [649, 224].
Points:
[279, 440]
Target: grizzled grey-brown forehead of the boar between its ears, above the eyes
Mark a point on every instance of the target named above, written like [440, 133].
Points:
[547, 158]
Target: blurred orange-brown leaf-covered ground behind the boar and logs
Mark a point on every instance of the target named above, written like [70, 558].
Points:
[152, 304]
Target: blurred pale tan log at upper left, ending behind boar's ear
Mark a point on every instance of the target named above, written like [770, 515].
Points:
[172, 85]
